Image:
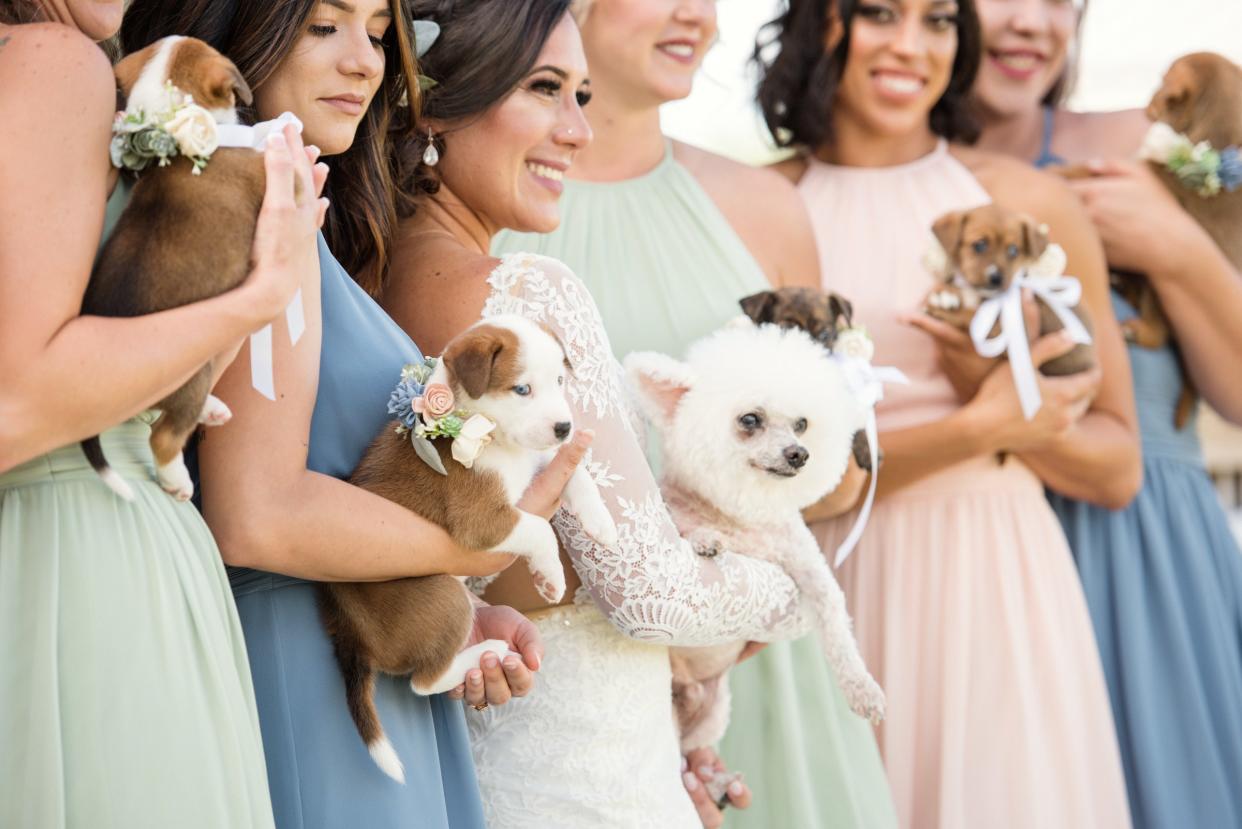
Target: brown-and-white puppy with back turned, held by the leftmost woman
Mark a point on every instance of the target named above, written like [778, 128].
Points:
[182, 239]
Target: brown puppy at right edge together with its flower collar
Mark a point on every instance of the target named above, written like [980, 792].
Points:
[1195, 150]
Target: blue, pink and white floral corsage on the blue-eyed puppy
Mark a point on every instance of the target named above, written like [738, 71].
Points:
[428, 411]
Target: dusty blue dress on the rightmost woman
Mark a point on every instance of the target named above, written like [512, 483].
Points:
[1164, 589]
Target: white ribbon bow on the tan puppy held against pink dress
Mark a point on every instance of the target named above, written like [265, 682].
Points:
[1060, 294]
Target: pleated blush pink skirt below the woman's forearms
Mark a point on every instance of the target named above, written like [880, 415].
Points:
[969, 613]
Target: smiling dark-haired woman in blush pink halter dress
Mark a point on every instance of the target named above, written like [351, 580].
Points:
[963, 591]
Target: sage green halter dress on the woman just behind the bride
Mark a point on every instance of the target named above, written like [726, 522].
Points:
[665, 269]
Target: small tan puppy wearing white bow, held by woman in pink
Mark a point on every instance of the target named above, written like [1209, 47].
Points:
[981, 262]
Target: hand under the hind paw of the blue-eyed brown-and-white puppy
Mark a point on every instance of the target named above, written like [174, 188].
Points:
[496, 682]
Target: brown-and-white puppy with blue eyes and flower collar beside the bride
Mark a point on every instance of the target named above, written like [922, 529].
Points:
[471, 432]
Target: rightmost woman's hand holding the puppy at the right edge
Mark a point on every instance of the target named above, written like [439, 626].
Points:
[1142, 226]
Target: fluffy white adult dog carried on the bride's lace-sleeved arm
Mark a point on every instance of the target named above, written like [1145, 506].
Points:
[757, 424]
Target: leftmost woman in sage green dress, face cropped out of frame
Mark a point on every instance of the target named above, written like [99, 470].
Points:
[126, 699]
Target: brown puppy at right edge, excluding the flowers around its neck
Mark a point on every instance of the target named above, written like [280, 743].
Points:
[1202, 98]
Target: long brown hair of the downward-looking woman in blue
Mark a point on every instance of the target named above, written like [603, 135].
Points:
[258, 35]
